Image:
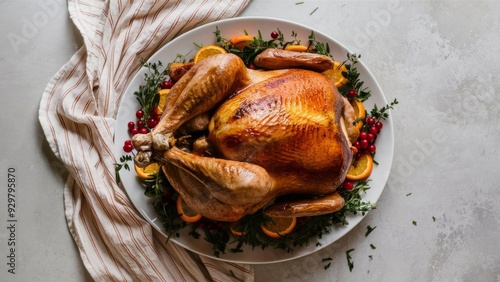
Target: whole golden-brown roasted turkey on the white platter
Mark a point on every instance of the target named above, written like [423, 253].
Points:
[271, 134]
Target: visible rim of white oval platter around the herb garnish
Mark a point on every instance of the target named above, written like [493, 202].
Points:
[229, 28]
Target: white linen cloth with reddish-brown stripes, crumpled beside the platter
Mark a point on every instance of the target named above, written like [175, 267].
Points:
[77, 114]
